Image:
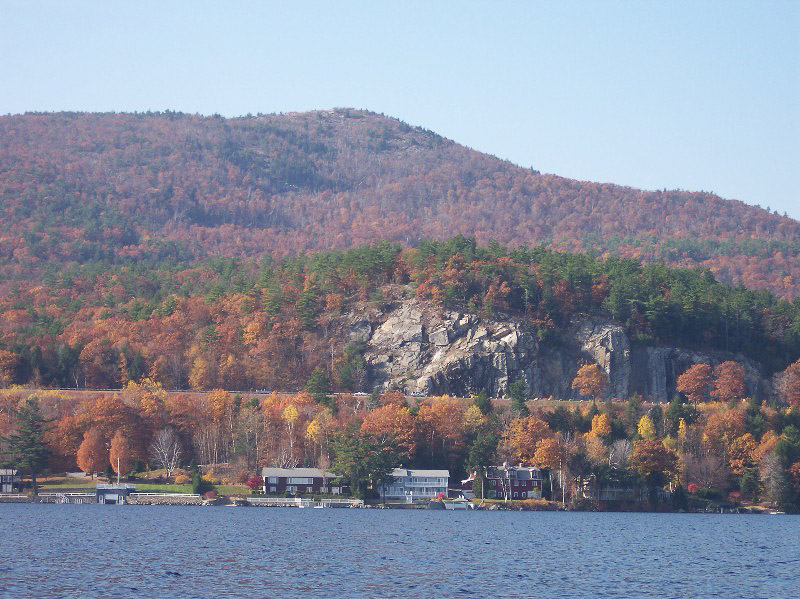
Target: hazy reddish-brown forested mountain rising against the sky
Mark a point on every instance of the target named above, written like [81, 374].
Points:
[166, 188]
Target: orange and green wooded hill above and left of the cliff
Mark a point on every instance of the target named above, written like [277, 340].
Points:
[247, 324]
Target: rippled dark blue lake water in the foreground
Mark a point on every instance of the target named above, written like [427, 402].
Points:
[134, 551]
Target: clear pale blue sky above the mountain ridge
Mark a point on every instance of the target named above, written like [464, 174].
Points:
[692, 95]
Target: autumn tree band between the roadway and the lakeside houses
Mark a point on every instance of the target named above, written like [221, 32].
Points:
[718, 452]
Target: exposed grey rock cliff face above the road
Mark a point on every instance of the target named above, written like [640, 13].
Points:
[418, 348]
